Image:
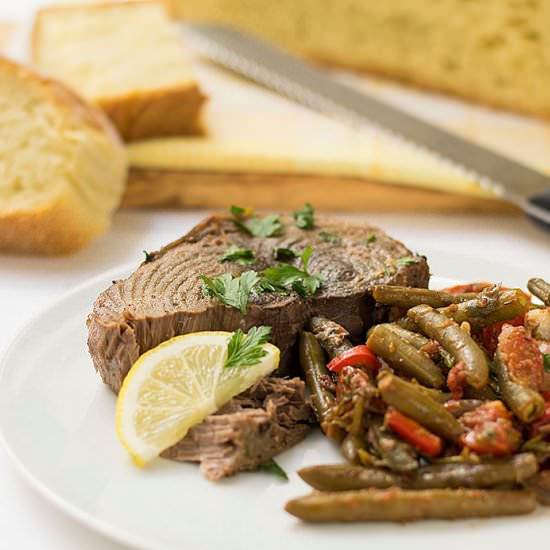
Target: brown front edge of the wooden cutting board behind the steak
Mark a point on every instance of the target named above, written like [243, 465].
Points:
[193, 189]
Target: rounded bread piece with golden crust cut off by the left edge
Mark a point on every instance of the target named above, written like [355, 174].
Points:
[62, 165]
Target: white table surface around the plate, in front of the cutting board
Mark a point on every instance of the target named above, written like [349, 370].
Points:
[501, 247]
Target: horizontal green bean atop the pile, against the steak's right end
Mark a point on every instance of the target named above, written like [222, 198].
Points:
[406, 297]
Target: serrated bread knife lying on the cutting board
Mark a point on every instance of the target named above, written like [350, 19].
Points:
[315, 88]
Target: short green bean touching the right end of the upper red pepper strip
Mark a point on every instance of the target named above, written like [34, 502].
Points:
[403, 357]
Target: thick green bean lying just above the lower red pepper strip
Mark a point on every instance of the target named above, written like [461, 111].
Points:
[409, 400]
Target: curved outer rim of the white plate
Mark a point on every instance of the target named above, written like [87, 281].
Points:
[88, 520]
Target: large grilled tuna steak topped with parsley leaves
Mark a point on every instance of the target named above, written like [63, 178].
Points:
[165, 297]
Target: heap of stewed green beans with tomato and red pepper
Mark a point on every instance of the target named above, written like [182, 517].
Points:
[444, 413]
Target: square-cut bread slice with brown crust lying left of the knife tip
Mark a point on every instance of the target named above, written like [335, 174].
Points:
[125, 57]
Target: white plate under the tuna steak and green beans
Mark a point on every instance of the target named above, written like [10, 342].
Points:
[57, 423]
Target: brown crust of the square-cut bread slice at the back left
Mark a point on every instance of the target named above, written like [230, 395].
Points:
[143, 114]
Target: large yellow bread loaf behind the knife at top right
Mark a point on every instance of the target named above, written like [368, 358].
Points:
[493, 51]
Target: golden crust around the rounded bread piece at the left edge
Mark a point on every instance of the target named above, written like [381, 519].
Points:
[67, 220]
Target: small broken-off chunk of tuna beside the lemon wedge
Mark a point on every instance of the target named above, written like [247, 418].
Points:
[260, 423]
